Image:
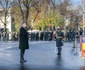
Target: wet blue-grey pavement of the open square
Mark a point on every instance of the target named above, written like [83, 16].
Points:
[42, 55]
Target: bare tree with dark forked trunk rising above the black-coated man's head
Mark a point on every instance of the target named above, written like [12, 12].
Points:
[24, 6]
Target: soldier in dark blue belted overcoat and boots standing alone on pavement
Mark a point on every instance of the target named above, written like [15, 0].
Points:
[59, 43]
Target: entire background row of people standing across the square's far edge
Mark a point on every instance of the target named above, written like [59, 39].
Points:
[44, 36]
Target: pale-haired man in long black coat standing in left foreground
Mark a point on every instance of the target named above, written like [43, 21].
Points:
[23, 42]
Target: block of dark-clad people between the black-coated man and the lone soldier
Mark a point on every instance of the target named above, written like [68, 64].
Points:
[46, 36]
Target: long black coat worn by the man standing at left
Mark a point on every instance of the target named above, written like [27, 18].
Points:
[23, 39]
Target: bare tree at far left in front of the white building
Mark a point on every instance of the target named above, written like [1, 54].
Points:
[5, 8]
